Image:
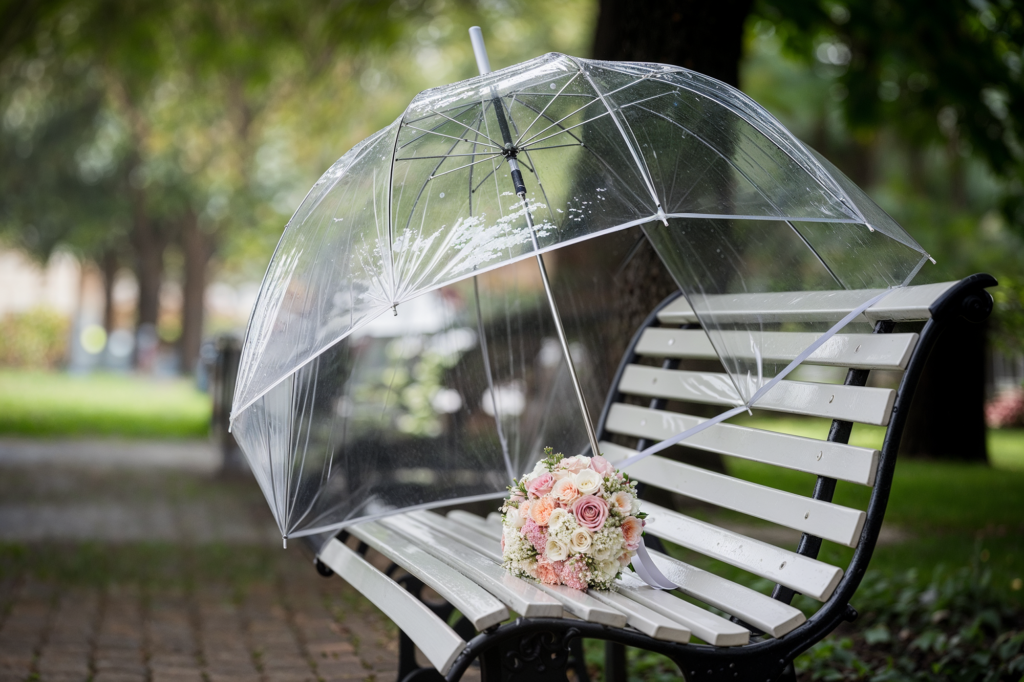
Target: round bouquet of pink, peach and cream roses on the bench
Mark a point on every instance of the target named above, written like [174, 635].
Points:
[573, 521]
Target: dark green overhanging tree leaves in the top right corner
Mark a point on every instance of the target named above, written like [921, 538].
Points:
[950, 72]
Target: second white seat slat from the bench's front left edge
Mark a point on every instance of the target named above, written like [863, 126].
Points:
[521, 596]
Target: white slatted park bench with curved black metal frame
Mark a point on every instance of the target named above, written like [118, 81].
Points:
[744, 634]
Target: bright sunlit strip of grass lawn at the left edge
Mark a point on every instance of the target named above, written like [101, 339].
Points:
[57, 405]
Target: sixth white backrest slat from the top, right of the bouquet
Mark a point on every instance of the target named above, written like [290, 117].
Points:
[816, 579]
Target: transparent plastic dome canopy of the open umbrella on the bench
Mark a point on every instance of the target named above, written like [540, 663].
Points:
[404, 352]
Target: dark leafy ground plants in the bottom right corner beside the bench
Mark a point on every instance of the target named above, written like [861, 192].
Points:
[952, 627]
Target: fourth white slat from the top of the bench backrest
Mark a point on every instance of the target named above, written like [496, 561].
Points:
[834, 460]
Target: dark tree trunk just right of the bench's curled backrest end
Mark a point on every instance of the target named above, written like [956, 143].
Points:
[948, 415]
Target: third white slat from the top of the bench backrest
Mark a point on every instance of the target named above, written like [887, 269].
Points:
[852, 404]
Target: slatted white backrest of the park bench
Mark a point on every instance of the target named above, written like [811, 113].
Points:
[650, 385]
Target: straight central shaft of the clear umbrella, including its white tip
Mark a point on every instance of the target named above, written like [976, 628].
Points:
[510, 153]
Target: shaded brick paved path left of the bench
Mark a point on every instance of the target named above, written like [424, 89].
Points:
[189, 605]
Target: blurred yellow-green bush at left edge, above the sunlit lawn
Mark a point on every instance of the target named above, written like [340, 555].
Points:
[37, 339]
